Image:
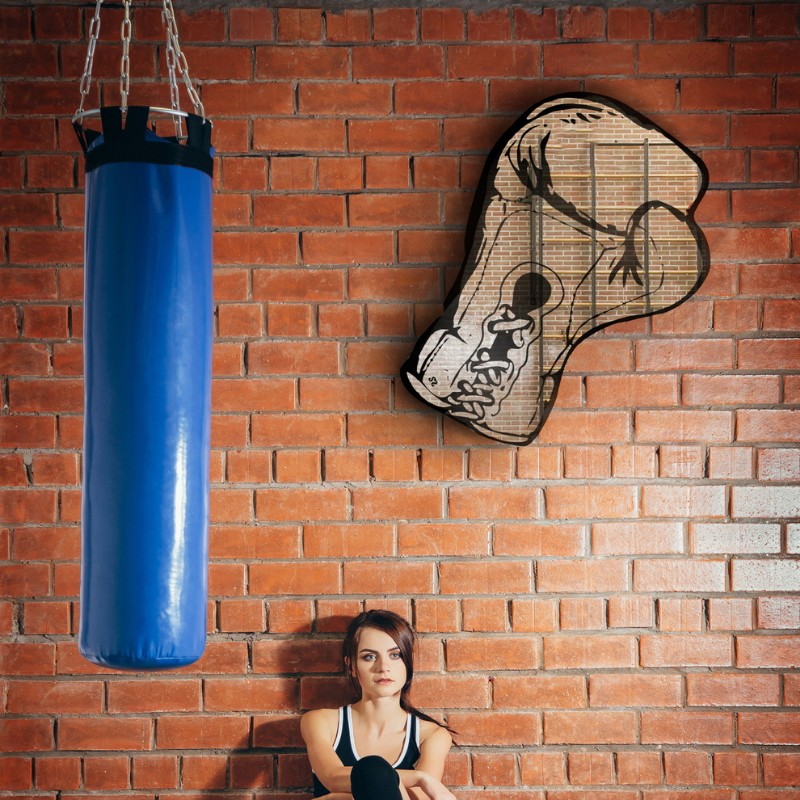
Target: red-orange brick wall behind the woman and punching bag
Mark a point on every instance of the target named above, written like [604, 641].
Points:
[611, 612]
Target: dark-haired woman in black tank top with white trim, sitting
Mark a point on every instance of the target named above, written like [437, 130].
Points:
[380, 747]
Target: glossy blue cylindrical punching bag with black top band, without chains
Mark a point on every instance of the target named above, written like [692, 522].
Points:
[147, 343]
